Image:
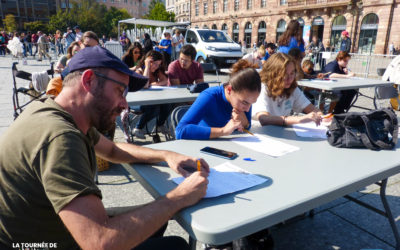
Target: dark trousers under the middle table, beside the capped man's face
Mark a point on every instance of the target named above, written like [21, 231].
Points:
[151, 111]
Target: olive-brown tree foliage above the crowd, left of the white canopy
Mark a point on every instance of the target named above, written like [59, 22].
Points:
[89, 15]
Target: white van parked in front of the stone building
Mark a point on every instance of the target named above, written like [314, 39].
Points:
[214, 46]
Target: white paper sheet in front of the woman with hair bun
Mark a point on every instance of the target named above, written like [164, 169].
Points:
[265, 145]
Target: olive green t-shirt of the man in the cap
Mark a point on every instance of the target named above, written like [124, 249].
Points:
[45, 162]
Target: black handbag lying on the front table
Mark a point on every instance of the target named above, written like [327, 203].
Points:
[377, 129]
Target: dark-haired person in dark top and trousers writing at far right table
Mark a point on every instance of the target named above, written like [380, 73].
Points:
[338, 69]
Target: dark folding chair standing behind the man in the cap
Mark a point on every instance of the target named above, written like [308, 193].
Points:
[26, 91]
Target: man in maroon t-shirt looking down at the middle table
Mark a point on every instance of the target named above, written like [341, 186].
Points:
[185, 70]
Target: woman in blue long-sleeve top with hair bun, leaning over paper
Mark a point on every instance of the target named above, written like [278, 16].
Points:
[220, 110]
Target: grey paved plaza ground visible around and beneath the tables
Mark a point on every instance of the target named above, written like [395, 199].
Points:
[337, 225]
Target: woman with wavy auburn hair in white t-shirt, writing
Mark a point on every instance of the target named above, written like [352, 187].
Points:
[280, 95]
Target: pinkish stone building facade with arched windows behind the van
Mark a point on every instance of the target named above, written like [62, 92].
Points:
[372, 24]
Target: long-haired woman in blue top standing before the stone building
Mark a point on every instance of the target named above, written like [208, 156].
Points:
[291, 38]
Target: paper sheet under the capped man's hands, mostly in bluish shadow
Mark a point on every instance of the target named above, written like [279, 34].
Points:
[228, 178]
